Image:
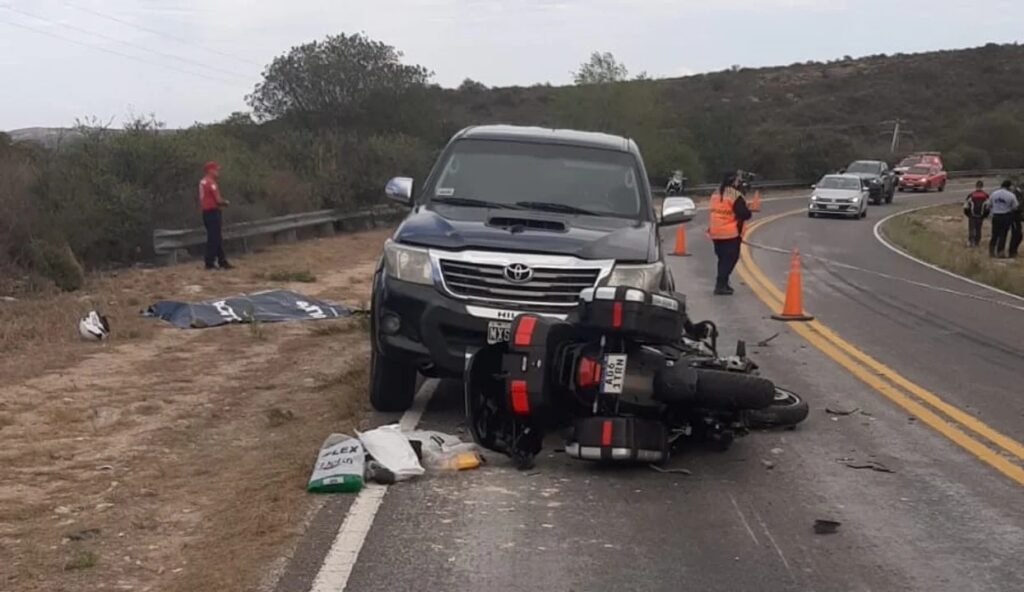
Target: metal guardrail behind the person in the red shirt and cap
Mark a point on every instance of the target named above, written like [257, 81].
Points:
[170, 245]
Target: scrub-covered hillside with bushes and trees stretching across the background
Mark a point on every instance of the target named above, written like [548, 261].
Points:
[357, 122]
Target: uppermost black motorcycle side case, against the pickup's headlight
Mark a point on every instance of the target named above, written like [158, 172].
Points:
[632, 313]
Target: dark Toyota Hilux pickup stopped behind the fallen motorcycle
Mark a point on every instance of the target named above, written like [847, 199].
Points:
[511, 220]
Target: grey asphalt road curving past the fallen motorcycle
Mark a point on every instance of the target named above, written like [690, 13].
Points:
[943, 520]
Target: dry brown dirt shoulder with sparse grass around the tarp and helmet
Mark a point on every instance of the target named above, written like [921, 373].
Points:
[167, 459]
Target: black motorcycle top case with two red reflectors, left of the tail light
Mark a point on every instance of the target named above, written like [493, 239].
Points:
[529, 384]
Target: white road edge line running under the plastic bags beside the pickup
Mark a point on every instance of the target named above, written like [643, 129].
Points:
[340, 559]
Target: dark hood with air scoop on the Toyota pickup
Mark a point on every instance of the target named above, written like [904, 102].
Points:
[459, 229]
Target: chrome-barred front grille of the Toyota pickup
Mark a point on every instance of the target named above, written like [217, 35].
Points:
[552, 286]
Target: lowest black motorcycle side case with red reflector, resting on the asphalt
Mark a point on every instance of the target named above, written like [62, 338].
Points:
[619, 440]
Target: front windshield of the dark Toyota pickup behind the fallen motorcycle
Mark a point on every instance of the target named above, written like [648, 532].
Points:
[549, 178]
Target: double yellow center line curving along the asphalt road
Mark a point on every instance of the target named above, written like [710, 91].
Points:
[1002, 452]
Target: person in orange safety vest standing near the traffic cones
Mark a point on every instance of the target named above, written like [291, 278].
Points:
[726, 229]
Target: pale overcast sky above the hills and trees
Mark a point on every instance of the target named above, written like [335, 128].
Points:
[189, 61]
